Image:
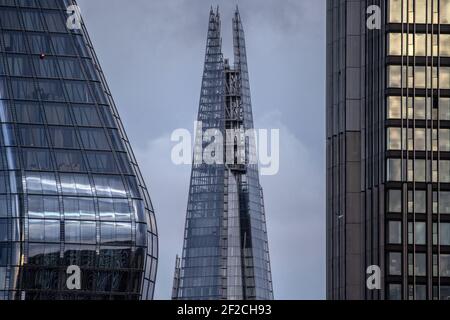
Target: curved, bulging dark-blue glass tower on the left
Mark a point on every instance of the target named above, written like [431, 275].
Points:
[71, 193]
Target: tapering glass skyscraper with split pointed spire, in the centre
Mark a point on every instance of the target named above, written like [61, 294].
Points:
[225, 253]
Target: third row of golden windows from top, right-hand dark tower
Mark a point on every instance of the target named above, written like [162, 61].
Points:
[418, 77]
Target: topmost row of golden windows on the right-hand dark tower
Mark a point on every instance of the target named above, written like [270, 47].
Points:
[419, 11]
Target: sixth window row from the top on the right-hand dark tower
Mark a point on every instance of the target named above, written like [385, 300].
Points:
[418, 170]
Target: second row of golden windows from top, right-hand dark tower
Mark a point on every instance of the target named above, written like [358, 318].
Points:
[418, 45]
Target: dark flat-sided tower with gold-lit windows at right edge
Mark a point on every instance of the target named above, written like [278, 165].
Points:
[388, 148]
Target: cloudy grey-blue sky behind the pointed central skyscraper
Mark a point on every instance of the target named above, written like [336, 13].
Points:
[152, 53]
